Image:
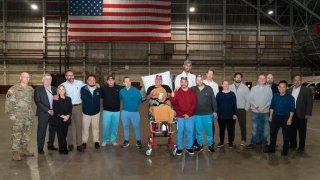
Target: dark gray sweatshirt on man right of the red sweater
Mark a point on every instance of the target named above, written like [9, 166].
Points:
[206, 101]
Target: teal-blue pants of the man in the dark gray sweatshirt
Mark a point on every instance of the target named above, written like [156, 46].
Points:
[204, 122]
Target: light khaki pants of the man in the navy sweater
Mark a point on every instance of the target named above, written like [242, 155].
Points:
[94, 121]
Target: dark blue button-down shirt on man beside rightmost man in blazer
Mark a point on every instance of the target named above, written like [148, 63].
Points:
[282, 105]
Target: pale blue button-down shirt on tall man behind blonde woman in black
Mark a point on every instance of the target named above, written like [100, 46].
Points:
[73, 90]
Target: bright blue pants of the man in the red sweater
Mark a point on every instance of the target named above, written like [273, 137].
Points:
[185, 126]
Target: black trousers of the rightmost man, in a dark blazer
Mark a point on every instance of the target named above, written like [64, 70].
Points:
[298, 125]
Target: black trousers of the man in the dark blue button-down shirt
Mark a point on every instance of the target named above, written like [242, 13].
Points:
[277, 123]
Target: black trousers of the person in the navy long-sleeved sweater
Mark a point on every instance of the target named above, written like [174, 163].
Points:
[229, 124]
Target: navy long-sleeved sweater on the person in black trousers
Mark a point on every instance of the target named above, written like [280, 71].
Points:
[227, 105]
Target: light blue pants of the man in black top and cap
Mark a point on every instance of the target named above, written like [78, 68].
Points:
[110, 120]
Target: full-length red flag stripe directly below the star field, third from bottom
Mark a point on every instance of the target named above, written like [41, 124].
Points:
[119, 22]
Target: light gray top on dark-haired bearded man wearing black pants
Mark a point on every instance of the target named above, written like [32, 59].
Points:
[242, 95]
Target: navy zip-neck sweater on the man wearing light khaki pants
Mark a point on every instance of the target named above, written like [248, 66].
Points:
[90, 102]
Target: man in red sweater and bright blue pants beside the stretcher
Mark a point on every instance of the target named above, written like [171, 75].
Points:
[184, 101]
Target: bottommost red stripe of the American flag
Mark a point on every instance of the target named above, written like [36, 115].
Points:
[119, 38]
